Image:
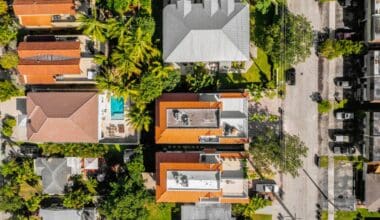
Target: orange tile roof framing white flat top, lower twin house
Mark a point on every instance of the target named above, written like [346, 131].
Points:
[188, 162]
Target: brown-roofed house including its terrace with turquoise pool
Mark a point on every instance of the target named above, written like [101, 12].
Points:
[78, 117]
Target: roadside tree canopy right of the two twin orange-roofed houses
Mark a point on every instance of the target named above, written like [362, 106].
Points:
[267, 151]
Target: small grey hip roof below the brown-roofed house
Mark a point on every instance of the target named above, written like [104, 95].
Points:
[54, 173]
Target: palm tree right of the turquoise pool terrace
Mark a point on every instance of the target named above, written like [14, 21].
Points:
[139, 118]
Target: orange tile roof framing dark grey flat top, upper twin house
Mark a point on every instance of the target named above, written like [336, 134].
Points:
[165, 135]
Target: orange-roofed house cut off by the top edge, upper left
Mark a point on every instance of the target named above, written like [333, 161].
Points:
[50, 13]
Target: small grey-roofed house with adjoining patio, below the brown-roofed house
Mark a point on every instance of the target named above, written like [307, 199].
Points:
[56, 172]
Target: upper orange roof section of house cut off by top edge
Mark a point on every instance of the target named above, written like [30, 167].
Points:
[43, 7]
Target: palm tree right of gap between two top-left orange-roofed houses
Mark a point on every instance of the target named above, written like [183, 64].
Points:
[93, 27]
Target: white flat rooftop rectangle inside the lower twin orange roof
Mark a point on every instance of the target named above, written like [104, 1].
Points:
[192, 180]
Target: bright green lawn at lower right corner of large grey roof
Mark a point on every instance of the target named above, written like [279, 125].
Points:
[260, 70]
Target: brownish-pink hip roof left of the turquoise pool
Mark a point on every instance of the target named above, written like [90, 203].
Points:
[62, 117]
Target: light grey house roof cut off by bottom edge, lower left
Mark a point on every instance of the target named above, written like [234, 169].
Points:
[64, 214]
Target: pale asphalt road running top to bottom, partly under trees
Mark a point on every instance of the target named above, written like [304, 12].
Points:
[300, 196]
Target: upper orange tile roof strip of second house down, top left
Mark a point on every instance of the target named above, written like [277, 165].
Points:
[57, 48]
